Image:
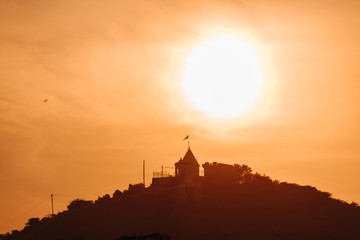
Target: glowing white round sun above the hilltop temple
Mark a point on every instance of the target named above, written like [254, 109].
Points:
[223, 77]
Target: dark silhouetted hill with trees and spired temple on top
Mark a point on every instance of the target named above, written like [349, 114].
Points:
[228, 202]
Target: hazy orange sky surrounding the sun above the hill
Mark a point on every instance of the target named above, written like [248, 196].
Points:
[110, 70]
